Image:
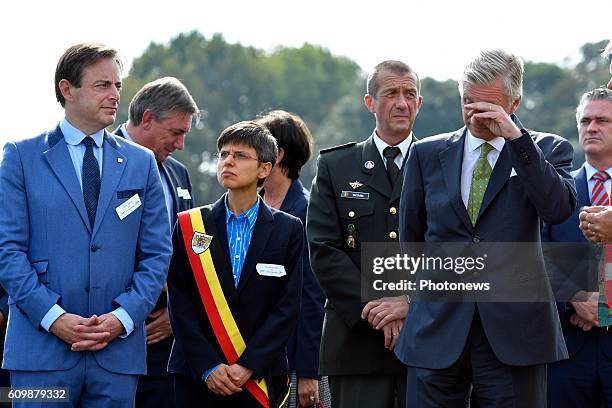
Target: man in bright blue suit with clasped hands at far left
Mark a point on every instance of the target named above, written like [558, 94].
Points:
[84, 243]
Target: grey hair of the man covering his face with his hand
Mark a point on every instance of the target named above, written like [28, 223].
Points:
[491, 65]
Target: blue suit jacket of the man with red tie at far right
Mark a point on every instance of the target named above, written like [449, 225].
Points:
[568, 232]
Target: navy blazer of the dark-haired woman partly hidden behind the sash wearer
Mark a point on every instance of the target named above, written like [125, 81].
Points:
[304, 343]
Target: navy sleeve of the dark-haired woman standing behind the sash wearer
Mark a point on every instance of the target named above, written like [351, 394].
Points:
[310, 320]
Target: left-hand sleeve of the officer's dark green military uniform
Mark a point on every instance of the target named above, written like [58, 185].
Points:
[338, 275]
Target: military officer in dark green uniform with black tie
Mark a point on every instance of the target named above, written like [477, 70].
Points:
[354, 199]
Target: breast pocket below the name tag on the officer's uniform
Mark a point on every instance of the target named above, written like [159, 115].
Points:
[356, 219]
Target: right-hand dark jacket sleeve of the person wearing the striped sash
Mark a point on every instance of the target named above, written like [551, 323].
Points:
[270, 339]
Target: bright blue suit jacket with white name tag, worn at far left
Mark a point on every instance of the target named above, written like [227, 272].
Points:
[50, 255]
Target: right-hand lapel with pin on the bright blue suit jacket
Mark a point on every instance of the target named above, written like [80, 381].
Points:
[112, 170]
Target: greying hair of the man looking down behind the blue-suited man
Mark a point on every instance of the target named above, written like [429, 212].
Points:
[162, 97]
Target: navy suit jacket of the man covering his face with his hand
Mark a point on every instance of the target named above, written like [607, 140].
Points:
[431, 210]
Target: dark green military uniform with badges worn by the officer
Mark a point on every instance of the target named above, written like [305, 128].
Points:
[351, 202]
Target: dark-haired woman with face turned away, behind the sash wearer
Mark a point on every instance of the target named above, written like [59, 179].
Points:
[283, 190]
